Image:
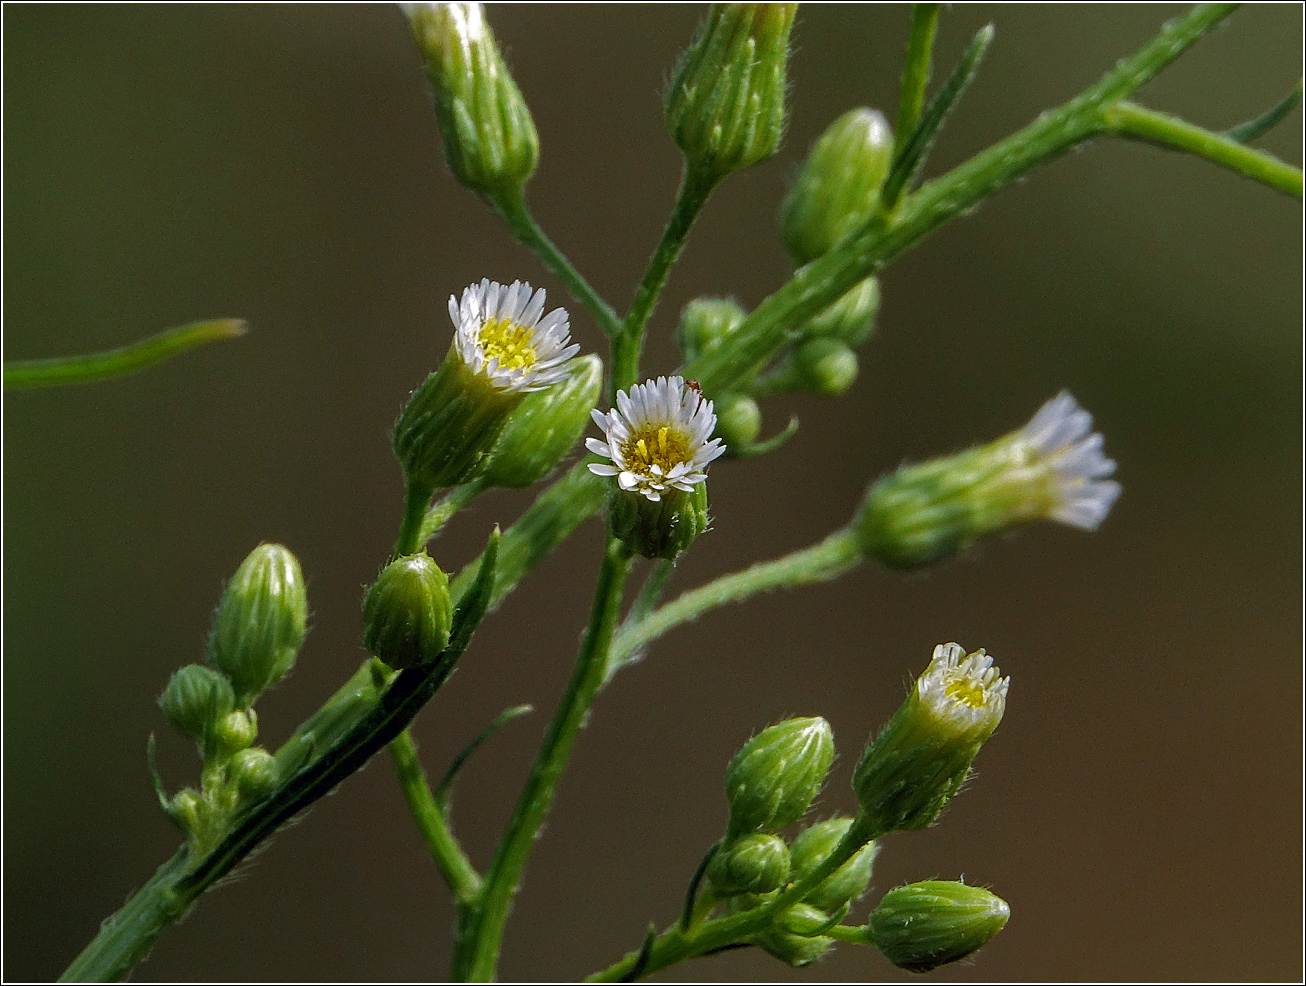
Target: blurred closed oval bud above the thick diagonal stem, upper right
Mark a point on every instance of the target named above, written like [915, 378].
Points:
[839, 187]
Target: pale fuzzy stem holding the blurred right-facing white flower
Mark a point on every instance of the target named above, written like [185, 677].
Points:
[820, 564]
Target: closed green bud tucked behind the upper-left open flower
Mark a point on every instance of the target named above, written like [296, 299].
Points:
[545, 428]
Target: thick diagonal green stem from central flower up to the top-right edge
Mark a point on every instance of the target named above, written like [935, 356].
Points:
[816, 287]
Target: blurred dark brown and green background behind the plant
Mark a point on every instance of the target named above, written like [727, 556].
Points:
[1141, 806]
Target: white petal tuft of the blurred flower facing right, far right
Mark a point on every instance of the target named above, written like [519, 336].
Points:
[1056, 441]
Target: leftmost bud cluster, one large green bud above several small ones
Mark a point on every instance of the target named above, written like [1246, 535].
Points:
[258, 630]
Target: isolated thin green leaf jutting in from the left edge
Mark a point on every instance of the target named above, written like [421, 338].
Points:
[122, 361]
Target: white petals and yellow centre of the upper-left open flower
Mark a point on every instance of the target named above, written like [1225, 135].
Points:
[502, 336]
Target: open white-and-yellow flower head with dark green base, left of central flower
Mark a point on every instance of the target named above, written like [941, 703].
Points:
[505, 348]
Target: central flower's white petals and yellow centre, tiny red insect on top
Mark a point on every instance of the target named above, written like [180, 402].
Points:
[658, 438]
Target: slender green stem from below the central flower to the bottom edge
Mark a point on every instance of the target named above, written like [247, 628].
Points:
[477, 950]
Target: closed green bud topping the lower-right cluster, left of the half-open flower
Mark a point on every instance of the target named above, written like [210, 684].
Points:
[774, 779]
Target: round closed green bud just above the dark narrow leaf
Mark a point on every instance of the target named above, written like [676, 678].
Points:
[408, 613]
